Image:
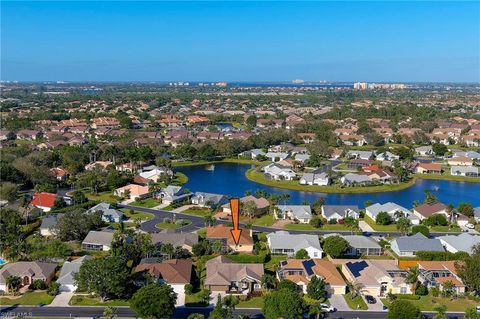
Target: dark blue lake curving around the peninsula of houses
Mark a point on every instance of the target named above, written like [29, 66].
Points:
[230, 179]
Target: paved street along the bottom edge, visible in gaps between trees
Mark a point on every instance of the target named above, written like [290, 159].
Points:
[181, 312]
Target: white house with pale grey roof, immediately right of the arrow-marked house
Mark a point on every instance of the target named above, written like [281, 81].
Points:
[282, 242]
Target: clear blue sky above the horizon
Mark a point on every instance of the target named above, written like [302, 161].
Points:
[241, 41]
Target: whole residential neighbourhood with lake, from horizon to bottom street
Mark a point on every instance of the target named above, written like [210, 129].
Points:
[342, 208]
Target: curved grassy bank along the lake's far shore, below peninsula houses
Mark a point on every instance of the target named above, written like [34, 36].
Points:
[258, 177]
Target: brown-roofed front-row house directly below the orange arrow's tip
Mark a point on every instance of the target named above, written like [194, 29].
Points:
[224, 276]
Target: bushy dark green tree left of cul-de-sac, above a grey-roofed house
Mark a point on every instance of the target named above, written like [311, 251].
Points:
[75, 224]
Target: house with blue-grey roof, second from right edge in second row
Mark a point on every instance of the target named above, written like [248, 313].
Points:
[408, 246]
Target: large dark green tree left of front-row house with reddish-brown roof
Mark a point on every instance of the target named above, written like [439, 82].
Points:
[94, 272]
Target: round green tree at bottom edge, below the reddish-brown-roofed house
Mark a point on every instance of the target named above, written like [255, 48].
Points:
[154, 301]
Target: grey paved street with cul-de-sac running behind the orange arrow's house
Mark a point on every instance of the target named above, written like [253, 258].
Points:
[197, 223]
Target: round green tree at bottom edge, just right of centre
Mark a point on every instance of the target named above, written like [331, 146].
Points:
[283, 304]
